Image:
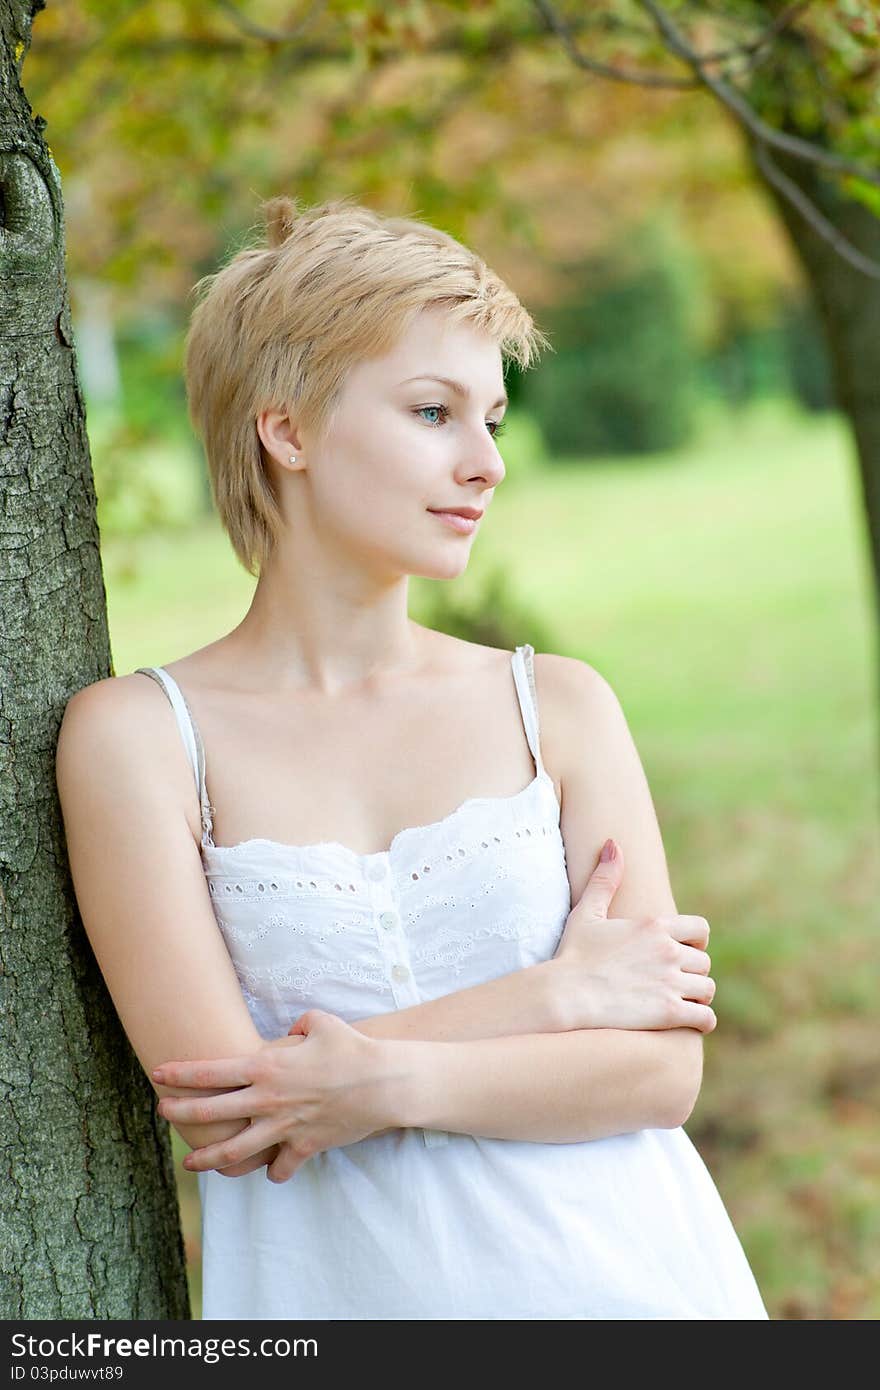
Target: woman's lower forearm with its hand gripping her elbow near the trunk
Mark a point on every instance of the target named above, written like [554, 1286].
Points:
[548, 1088]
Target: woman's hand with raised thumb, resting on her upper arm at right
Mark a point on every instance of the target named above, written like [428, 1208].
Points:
[633, 974]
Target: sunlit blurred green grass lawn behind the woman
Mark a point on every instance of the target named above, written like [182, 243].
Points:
[725, 593]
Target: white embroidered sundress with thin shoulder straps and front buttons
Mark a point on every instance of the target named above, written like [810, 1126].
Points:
[425, 1224]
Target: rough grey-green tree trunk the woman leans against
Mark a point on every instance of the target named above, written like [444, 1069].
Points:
[91, 1223]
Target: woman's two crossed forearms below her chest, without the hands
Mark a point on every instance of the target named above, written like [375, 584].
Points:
[498, 1061]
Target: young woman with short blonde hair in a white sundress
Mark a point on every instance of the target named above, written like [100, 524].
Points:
[357, 970]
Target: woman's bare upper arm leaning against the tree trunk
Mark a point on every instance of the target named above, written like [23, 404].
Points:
[123, 782]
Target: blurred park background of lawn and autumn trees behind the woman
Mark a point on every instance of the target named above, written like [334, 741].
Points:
[682, 507]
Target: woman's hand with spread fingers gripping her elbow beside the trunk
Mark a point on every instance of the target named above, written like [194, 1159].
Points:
[323, 1086]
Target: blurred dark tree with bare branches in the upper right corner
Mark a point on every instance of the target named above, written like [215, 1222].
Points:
[801, 84]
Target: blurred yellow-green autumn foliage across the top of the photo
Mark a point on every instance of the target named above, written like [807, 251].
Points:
[479, 116]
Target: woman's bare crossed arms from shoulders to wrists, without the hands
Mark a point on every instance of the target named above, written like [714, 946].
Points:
[500, 1058]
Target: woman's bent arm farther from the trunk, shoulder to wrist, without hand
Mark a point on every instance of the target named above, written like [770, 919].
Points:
[553, 1086]
